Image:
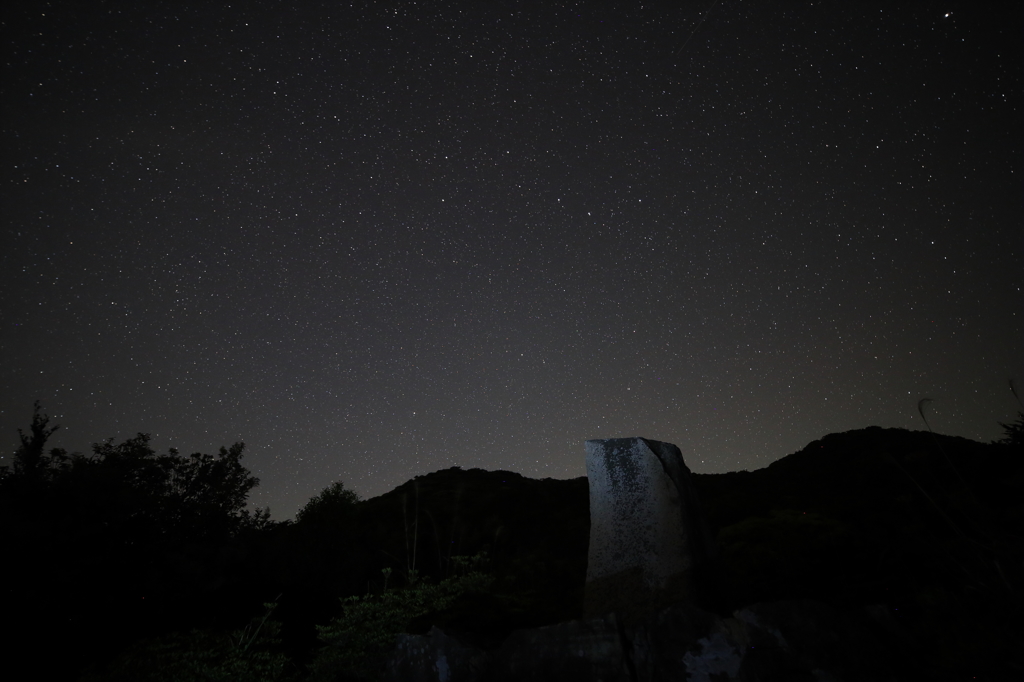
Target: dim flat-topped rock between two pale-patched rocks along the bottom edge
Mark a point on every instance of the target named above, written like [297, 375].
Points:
[590, 651]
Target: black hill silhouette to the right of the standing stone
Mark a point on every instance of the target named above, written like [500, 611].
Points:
[923, 531]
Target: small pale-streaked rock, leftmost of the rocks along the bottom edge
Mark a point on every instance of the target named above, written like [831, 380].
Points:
[436, 658]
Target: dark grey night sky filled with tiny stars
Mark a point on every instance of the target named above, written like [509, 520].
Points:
[374, 240]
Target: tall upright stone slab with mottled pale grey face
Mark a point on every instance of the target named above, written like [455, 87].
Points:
[648, 537]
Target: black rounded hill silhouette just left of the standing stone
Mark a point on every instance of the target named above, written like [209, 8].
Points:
[536, 533]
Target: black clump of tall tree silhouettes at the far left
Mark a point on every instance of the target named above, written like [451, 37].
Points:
[118, 544]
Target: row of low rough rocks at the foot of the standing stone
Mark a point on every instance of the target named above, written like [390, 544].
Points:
[785, 641]
